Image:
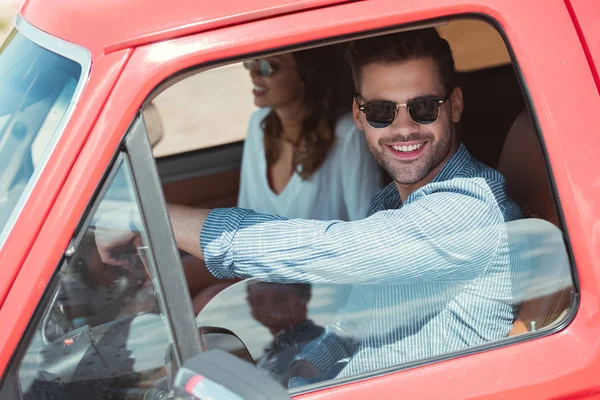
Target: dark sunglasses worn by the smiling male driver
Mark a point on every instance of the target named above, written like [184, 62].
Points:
[381, 113]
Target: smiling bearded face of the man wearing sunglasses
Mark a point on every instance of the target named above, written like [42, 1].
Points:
[410, 152]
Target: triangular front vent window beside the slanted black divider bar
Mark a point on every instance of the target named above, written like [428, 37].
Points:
[103, 333]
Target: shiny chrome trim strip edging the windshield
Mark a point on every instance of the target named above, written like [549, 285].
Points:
[68, 50]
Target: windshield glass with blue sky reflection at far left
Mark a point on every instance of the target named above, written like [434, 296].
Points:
[37, 88]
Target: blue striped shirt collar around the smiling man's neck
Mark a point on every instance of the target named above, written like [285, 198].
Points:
[389, 198]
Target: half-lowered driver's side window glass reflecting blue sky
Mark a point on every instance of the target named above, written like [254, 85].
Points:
[347, 330]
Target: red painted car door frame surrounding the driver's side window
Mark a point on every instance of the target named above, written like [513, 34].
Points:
[550, 363]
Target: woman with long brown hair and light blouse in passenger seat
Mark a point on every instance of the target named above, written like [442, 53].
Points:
[302, 158]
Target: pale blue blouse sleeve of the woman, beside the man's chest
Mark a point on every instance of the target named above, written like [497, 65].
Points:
[361, 177]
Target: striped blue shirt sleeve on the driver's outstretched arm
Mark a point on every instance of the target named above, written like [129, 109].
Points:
[450, 234]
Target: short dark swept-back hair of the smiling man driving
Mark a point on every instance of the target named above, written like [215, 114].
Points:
[401, 47]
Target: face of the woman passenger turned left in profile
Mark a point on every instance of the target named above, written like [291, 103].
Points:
[283, 88]
